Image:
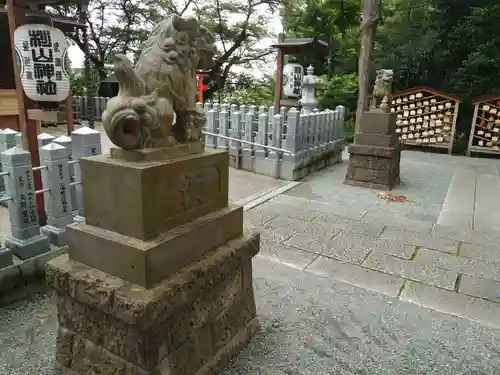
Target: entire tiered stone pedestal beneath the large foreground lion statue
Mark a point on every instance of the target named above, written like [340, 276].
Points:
[169, 295]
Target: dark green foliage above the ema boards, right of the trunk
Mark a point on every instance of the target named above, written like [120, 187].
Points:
[448, 45]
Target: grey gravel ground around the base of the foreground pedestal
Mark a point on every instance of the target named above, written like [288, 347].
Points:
[310, 325]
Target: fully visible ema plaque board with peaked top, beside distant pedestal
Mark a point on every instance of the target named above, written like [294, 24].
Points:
[425, 117]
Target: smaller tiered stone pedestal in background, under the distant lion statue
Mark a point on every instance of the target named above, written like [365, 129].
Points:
[375, 157]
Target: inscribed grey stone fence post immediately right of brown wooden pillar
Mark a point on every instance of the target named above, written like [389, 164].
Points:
[57, 197]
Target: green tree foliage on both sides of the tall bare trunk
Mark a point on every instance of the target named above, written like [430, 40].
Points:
[451, 45]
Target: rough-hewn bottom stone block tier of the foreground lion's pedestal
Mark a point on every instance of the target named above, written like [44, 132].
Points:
[191, 323]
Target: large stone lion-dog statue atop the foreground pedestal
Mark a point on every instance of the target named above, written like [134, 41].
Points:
[162, 82]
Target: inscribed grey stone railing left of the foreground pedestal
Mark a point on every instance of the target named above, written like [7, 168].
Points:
[62, 190]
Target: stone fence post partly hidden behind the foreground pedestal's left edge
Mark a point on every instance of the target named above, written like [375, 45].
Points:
[84, 142]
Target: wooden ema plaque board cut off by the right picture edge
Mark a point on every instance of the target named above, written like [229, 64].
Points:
[485, 130]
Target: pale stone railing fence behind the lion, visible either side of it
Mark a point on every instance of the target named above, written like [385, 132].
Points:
[287, 145]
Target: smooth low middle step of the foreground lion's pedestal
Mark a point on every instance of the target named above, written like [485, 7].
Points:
[146, 263]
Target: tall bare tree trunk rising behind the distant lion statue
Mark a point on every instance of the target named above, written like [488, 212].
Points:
[371, 16]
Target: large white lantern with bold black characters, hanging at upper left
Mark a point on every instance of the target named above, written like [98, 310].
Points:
[42, 51]
